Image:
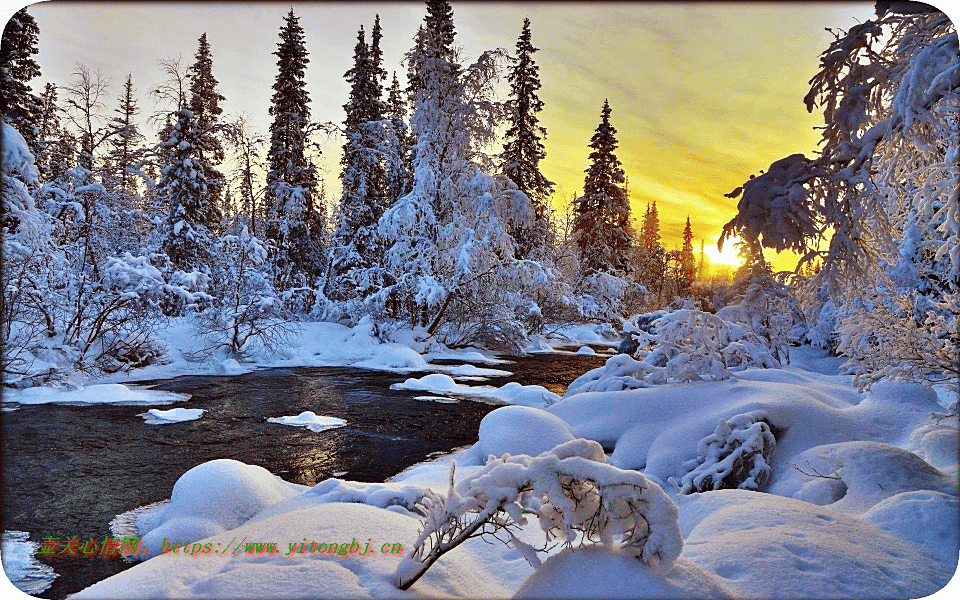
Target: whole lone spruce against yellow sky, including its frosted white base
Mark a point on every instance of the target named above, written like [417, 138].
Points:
[600, 228]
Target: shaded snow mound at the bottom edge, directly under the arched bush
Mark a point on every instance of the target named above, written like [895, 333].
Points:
[599, 573]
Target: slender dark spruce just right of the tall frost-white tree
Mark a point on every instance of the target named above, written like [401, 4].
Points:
[523, 147]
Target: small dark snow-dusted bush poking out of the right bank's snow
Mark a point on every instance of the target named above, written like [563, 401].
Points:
[735, 455]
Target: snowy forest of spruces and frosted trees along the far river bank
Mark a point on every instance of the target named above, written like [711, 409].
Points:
[106, 233]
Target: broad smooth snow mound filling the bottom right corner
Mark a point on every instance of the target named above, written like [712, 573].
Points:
[766, 546]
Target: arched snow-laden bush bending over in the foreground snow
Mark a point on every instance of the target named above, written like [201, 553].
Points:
[571, 490]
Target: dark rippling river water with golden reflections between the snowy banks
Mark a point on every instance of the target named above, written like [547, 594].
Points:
[68, 470]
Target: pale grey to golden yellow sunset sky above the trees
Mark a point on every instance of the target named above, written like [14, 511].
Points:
[703, 95]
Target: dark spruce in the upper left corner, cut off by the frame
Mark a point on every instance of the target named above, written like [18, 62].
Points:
[18, 105]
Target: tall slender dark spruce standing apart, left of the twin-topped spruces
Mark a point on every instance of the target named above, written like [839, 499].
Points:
[293, 223]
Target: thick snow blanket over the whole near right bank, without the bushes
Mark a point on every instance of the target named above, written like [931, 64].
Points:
[861, 502]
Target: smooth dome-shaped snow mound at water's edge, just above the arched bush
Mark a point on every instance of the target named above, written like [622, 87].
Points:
[521, 430]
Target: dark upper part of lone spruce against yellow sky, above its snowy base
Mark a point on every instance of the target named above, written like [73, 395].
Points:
[603, 212]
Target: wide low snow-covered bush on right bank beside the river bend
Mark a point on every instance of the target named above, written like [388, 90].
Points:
[685, 345]
